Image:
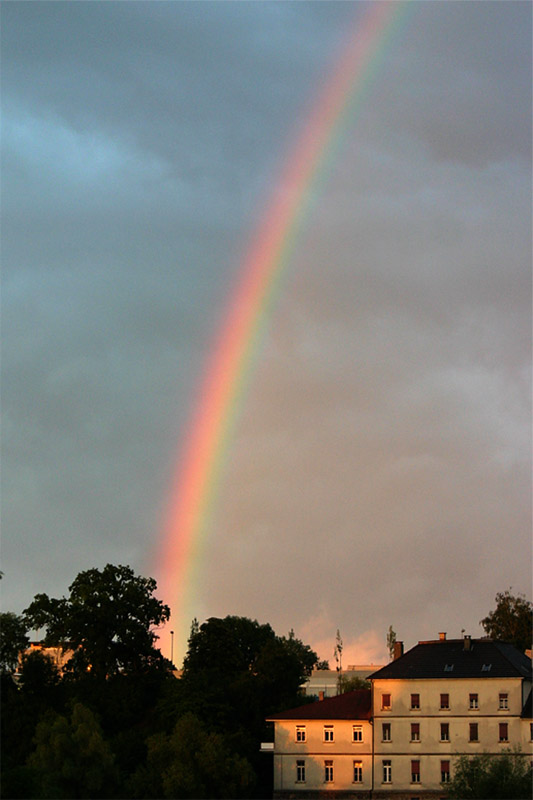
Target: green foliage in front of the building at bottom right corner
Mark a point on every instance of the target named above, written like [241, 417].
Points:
[506, 776]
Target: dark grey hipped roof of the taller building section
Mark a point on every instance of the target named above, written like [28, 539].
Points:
[451, 659]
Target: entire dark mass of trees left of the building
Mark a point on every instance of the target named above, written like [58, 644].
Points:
[117, 723]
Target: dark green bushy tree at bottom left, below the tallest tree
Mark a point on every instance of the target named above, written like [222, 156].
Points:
[71, 758]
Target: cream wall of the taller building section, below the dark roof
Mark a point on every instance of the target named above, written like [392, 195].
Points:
[416, 734]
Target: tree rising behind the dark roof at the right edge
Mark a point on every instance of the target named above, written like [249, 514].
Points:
[511, 621]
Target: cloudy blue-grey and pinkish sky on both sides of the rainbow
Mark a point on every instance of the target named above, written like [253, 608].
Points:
[380, 470]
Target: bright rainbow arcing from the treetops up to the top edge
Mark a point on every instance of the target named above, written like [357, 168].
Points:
[228, 371]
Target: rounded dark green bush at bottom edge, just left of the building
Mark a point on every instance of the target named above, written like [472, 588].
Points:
[192, 763]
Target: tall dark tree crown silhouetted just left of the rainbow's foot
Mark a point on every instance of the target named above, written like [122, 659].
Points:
[107, 621]
